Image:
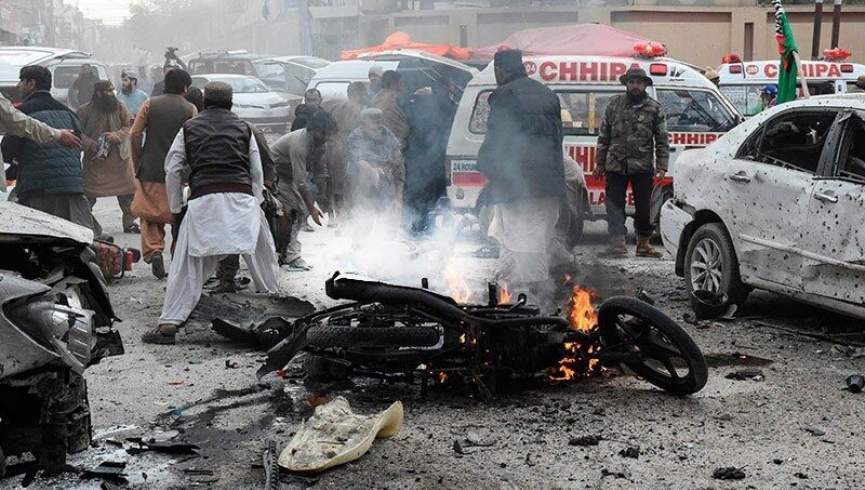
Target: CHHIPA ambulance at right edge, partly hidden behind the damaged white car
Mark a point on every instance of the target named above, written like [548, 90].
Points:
[741, 82]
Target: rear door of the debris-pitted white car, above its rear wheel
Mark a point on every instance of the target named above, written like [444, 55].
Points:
[768, 187]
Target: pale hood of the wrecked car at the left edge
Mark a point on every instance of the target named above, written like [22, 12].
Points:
[20, 222]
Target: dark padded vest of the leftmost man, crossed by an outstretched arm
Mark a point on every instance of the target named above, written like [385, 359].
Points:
[49, 168]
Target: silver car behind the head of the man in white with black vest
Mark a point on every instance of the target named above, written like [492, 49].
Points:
[255, 102]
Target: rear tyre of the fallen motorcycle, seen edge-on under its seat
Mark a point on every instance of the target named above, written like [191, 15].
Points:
[326, 336]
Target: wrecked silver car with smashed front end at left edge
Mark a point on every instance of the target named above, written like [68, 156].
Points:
[55, 322]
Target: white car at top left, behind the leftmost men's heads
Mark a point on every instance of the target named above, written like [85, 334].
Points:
[64, 64]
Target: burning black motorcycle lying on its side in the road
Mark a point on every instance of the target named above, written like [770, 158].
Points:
[389, 331]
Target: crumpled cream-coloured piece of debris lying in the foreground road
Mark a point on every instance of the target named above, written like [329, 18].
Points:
[335, 435]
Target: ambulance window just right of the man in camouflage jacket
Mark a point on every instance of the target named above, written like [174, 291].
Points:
[695, 111]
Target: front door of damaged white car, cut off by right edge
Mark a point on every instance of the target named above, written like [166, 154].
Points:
[833, 237]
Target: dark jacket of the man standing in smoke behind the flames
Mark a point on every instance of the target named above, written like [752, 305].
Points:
[521, 156]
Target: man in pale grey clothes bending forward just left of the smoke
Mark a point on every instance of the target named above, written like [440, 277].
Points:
[293, 154]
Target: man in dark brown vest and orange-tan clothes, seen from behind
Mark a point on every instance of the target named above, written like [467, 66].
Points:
[161, 117]
